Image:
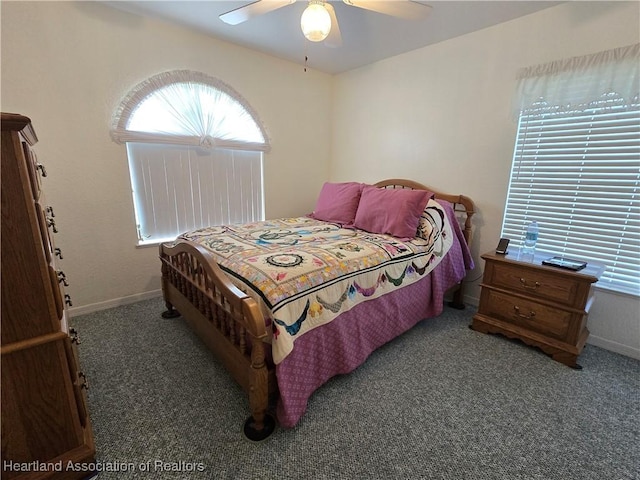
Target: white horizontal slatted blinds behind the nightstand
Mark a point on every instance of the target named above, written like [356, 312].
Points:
[576, 171]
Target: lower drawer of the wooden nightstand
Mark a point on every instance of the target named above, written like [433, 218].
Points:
[550, 321]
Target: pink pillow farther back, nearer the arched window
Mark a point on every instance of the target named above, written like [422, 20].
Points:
[338, 202]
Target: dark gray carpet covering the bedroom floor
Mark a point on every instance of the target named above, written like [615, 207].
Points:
[440, 402]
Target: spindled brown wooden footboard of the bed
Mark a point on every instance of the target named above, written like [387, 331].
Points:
[226, 319]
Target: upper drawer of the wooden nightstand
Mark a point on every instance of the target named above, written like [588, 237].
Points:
[535, 283]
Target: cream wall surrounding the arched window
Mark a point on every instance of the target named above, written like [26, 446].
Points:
[67, 65]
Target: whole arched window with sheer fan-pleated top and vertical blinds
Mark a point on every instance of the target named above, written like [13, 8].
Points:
[195, 150]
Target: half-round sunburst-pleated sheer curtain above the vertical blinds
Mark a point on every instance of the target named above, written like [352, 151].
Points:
[183, 107]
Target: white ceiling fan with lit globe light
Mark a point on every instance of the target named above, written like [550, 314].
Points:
[319, 22]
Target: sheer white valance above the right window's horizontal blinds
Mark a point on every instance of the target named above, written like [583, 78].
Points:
[575, 82]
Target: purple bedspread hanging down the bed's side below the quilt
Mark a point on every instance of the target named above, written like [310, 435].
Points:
[344, 344]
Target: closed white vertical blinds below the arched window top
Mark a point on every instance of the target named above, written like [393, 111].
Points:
[179, 188]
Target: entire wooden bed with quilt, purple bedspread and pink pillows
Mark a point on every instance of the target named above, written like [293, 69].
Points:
[265, 300]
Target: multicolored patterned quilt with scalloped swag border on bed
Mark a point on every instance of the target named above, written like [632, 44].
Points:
[305, 272]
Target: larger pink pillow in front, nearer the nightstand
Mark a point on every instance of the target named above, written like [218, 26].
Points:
[395, 212]
